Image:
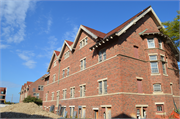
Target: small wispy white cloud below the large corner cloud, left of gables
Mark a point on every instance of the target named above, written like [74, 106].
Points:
[27, 56]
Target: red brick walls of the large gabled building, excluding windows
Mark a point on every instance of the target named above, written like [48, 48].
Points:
[121, 69]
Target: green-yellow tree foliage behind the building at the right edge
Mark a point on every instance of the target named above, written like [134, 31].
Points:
[172, 29]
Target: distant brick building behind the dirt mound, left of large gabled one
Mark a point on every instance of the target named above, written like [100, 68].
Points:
[34, 89]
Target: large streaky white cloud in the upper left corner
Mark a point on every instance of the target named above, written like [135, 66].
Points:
[13, 14]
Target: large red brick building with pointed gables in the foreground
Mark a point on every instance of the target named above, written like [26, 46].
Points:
[130, 71]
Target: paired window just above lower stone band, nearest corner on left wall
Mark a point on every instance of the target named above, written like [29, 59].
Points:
[103, 87]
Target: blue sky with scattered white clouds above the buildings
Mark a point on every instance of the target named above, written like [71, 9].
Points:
[31, 30]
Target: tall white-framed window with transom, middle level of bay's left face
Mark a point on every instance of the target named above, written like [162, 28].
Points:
[154, 64]
